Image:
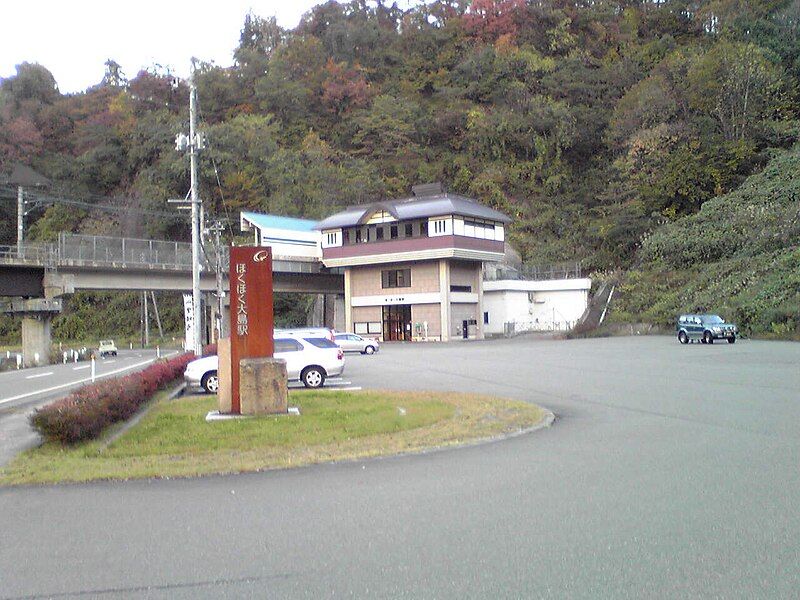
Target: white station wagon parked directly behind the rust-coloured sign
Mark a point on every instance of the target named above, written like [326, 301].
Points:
[308, 360]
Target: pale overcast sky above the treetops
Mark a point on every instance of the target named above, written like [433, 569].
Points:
[74, 39]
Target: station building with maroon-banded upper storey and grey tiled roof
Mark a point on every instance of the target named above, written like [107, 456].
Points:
[413, 267]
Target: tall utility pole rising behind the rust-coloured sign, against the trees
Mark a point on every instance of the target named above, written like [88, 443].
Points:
[194, 143]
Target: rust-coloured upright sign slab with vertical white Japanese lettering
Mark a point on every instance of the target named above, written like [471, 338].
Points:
[251, 310]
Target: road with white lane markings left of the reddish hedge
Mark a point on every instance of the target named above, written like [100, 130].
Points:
[24, 390]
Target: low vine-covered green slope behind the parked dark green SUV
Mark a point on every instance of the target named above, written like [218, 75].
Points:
[740, 255]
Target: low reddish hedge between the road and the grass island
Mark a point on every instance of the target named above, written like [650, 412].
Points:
[88, 410]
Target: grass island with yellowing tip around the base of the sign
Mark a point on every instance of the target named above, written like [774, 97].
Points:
[174, 440]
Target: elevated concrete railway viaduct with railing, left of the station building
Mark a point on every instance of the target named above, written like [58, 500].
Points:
[34, 277]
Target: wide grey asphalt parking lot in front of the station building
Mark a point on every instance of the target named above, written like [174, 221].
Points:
[671, 471]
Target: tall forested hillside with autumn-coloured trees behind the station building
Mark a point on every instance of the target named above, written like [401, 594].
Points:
[591, 123]
